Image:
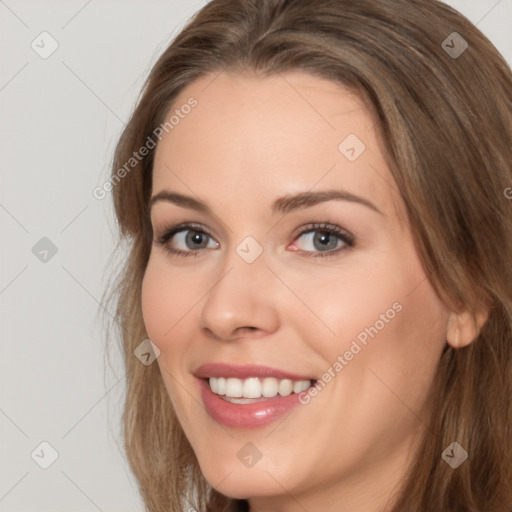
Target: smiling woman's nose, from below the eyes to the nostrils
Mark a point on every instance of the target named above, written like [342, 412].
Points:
[242, 301]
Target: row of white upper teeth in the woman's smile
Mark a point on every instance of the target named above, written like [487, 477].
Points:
[253, 387]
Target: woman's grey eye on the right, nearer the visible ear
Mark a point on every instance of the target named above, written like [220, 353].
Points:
[322, 240]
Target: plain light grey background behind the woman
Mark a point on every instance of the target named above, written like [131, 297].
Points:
[60, 119]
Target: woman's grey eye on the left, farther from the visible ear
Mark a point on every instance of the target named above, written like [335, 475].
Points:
[186, 240]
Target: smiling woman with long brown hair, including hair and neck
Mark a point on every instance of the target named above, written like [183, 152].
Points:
[315, 197]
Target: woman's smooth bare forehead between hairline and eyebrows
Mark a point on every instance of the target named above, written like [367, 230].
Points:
[266, 136]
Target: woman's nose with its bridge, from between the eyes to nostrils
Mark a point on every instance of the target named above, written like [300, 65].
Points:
[239, 297]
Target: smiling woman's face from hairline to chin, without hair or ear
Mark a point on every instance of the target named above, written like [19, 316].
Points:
[323, 287]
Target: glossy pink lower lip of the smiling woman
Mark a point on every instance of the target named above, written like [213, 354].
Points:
[253, 415]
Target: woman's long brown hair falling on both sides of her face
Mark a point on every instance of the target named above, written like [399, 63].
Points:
[444, 115]
